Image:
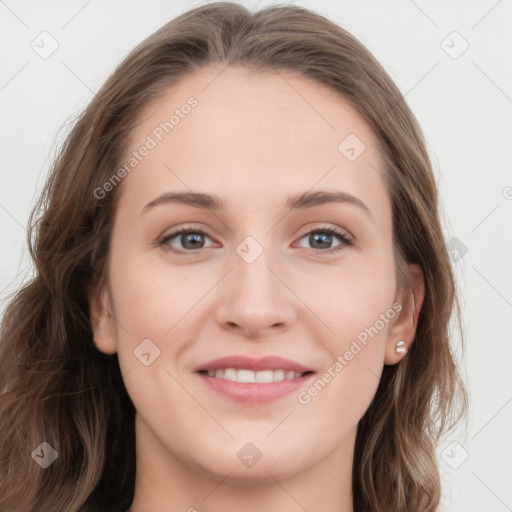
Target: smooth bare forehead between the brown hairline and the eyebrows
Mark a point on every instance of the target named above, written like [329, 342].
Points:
[231, 129]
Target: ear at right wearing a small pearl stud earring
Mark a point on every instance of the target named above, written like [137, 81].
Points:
[403, 326]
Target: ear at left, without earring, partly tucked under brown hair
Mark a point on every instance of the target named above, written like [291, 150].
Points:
[102, 322]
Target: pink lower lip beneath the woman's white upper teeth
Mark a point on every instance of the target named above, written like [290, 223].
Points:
[257, 392]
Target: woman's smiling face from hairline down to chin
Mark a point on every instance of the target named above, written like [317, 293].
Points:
[260, 287]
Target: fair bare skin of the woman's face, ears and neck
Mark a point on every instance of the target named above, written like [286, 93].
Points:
[252, 139]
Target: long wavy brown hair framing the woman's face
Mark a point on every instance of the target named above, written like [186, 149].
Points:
[56, 387]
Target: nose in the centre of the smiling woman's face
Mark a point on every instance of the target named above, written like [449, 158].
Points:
[255, 299]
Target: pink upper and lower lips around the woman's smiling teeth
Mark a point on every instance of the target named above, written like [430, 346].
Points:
[257, 392]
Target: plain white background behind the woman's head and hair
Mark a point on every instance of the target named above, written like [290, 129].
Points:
[464, 106]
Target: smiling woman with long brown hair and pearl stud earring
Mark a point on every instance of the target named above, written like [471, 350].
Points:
[242, 292]
